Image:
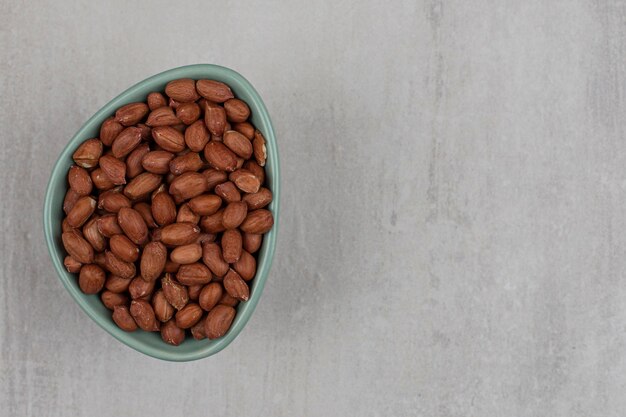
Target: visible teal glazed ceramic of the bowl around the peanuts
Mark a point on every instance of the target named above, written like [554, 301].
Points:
[145, 342]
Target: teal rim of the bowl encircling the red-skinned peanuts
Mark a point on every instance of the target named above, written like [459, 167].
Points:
[245, 310]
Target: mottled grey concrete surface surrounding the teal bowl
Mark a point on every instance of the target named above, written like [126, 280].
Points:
[452, 239]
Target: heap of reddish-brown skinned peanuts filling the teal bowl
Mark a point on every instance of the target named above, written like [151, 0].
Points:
[166, 211]
